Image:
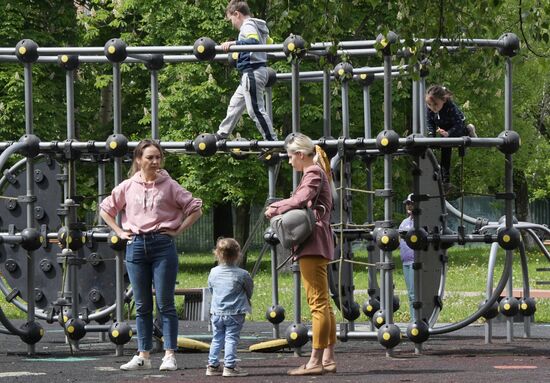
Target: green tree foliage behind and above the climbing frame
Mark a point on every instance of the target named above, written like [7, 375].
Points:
[193, 97]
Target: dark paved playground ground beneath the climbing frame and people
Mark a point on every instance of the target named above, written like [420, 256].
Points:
[459, 357]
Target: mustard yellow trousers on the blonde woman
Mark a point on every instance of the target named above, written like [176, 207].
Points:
[315, 280]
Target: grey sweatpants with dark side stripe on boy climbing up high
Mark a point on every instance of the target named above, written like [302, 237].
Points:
[249, 95]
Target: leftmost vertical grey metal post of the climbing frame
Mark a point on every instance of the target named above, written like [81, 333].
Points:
[29, 176]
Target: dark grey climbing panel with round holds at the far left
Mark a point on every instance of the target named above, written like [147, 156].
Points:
[96, 282]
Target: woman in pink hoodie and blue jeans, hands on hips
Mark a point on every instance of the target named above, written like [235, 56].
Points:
[154, 209]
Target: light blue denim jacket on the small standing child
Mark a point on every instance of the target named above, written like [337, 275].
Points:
[231, 289]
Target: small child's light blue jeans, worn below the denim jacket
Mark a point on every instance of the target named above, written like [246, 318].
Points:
[226, 331]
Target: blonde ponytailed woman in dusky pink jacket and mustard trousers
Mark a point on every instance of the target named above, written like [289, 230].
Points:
[317, 251]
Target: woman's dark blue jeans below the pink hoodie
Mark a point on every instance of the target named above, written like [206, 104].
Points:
[152, 259]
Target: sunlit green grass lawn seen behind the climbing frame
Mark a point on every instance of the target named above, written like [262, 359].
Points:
[467, 272]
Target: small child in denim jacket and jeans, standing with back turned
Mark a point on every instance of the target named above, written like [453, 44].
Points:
[231, 289]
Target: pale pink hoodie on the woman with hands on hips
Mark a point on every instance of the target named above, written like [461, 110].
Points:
[145, 208]
